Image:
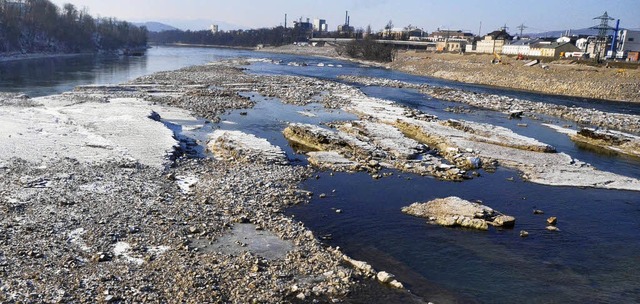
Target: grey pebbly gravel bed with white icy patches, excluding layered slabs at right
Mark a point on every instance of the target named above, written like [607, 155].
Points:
[99, 203]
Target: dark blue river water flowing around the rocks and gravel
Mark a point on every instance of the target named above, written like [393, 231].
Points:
[594, 258]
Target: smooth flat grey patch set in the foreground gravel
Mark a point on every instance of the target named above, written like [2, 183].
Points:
[245, 238]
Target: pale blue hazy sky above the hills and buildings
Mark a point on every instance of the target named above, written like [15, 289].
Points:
[470, 15]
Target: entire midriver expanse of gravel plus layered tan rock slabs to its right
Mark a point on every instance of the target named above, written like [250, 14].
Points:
[100, 202]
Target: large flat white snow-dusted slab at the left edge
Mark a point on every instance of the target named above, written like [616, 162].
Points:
[59, 126]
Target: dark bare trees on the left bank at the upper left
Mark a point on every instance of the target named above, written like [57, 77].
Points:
[36, 26]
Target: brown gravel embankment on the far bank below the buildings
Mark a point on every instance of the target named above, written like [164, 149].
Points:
[557, 78]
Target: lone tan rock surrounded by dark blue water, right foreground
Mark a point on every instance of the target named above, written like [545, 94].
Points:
[456, 212]
